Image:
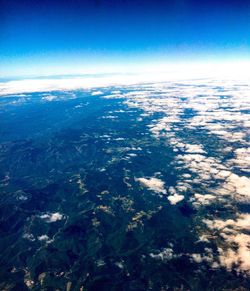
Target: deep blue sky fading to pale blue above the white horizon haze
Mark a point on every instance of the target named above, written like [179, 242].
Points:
[80, 32]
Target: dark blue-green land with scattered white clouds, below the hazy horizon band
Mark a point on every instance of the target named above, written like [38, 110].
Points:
[140, 187]
